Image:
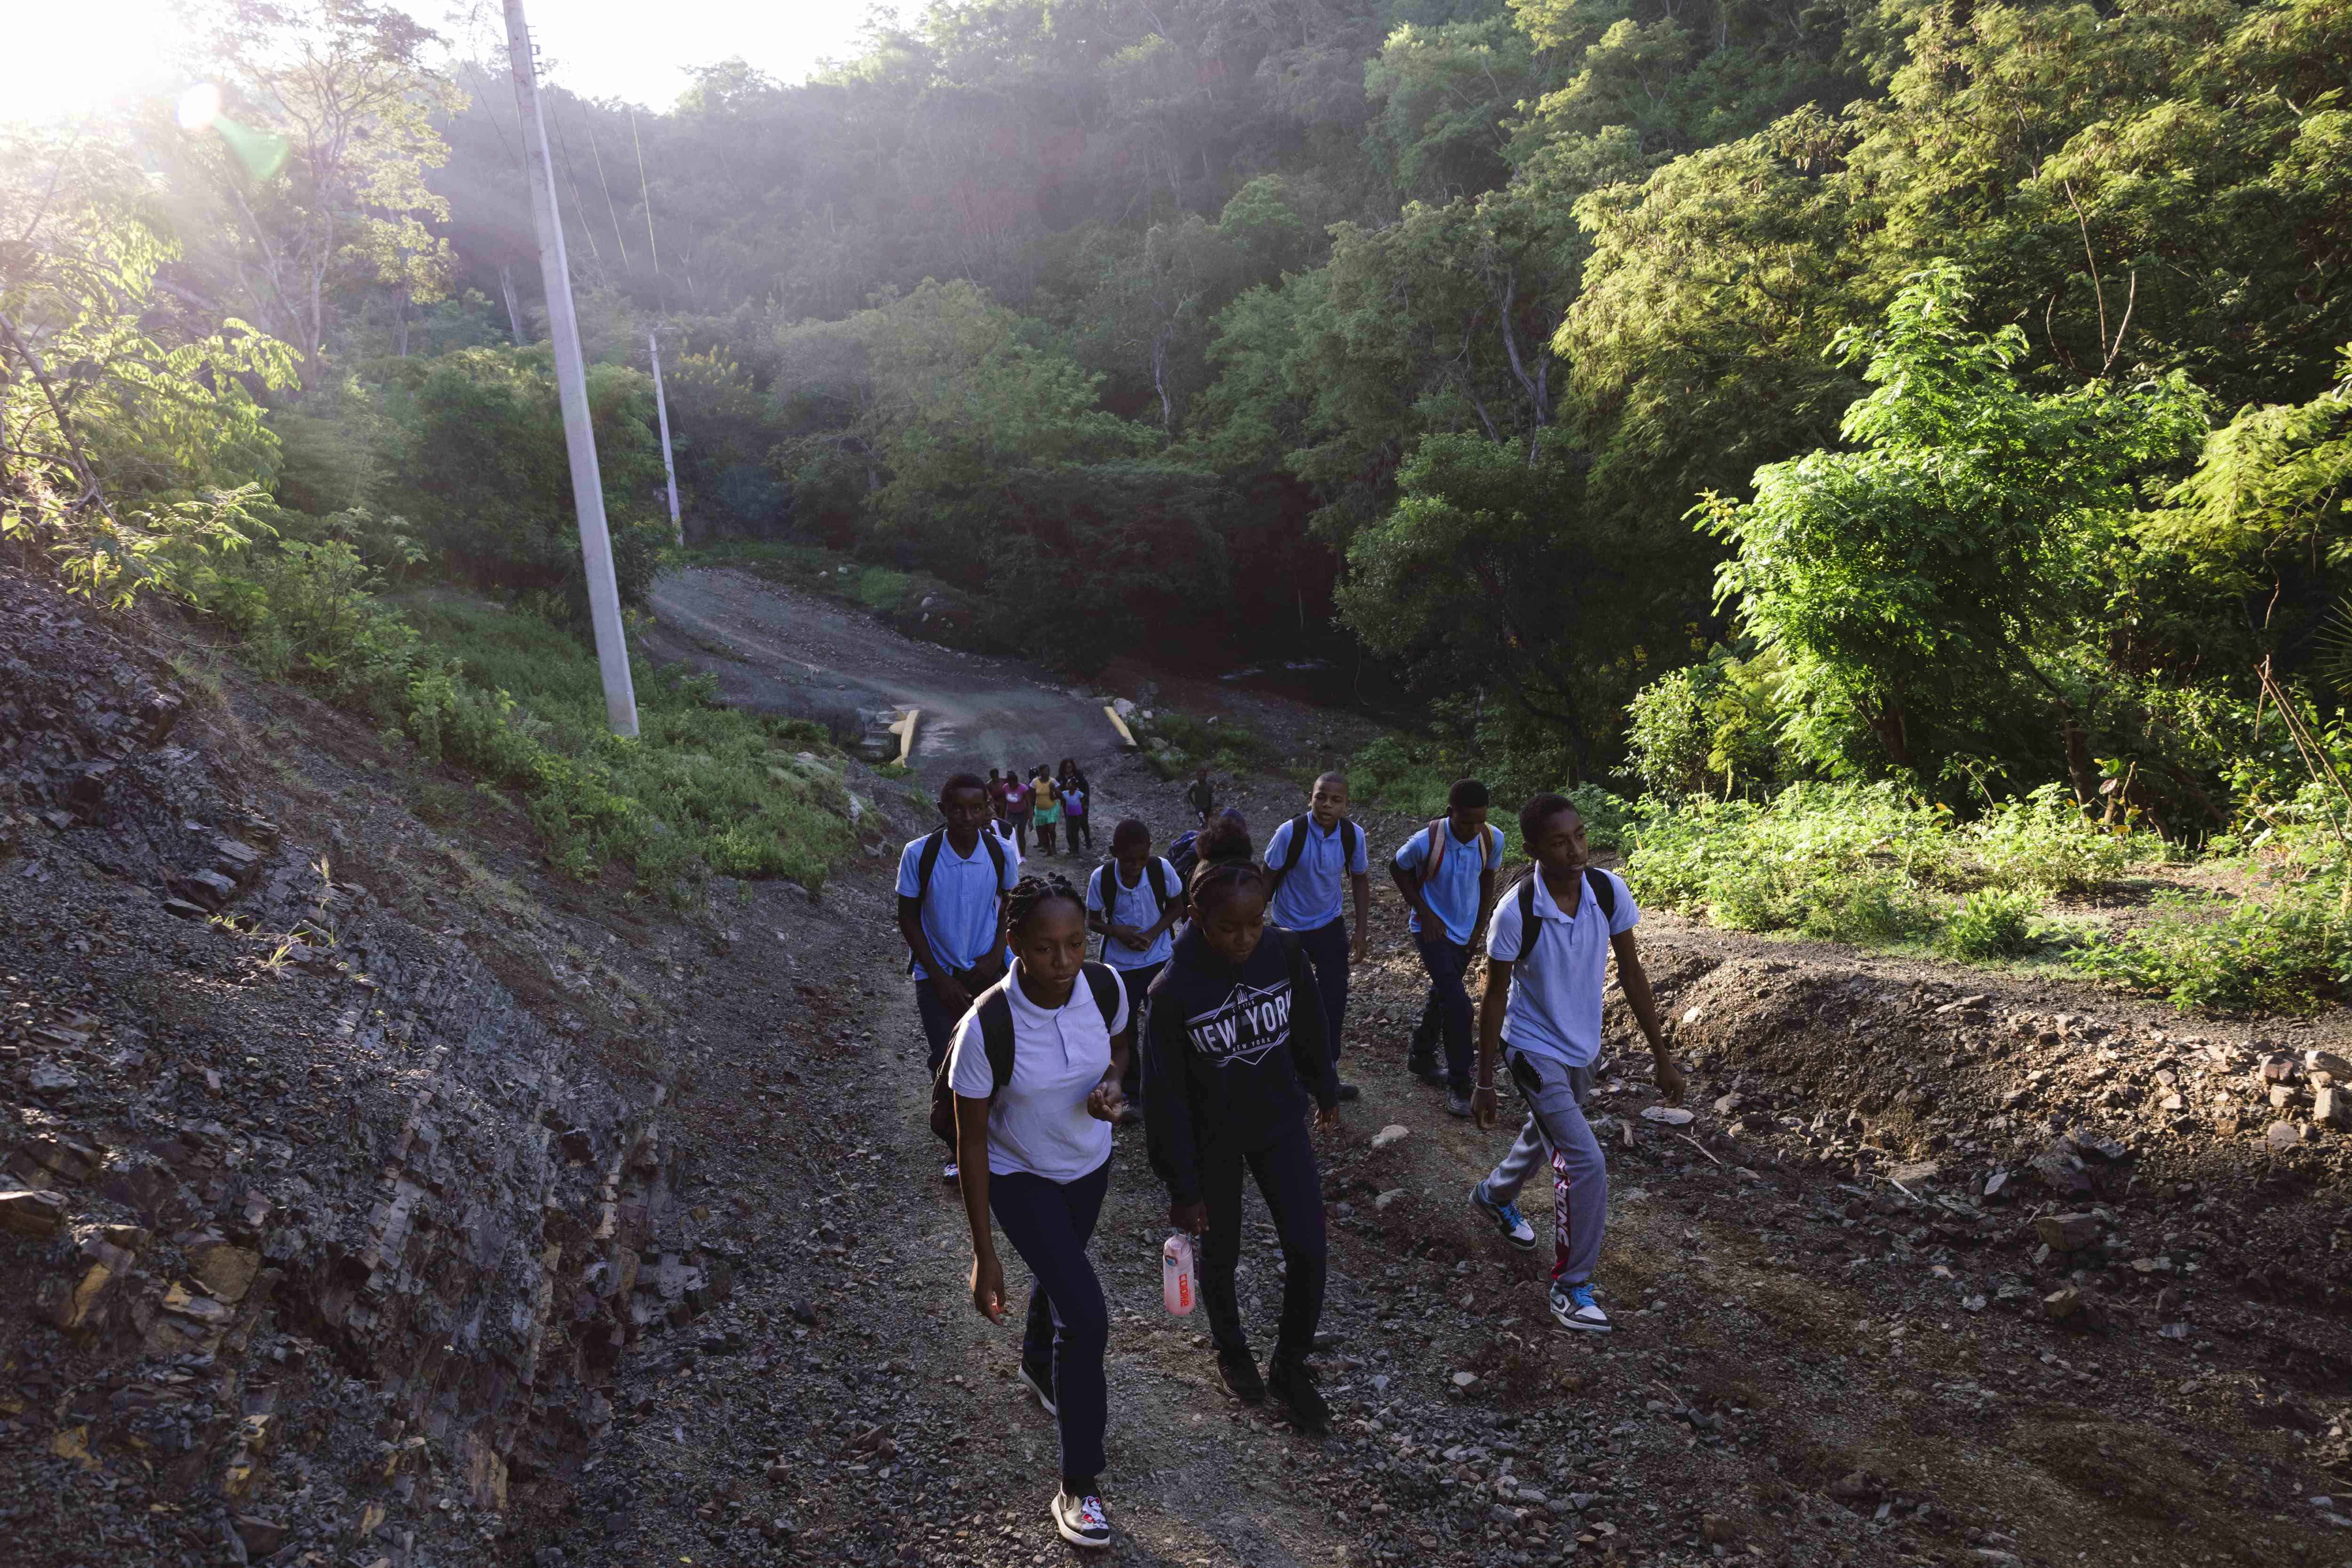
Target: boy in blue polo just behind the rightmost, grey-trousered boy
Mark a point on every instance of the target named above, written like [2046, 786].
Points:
[1448, 880]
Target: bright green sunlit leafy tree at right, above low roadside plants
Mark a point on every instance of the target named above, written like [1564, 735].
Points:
[1939, 582]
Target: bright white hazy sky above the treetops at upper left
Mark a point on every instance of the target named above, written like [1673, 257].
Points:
[596, 48]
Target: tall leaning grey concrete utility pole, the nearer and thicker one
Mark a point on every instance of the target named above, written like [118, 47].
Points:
[573, 389]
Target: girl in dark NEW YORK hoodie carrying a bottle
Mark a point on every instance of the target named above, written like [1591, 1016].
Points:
[1231, 1061]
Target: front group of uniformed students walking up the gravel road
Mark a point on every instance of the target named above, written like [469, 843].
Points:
[1215, 1017]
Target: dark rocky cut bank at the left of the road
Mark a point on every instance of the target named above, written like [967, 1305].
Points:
[312, 1233]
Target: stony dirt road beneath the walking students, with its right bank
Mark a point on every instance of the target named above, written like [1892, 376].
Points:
[1833, 1346]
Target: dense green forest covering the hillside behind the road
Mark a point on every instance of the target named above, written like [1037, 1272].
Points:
[1728, 391]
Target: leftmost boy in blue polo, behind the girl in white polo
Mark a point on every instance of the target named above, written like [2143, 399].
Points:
[951, 913]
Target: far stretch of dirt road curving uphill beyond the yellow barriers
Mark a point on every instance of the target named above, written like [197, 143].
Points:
[801, 655]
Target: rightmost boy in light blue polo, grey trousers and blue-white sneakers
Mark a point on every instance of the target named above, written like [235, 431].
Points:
[1549, 946]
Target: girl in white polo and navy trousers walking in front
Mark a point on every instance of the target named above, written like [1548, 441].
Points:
[1036, 1090]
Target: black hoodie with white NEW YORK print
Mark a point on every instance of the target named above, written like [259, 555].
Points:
[1231, 1054]
